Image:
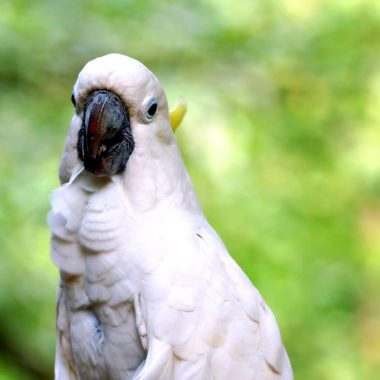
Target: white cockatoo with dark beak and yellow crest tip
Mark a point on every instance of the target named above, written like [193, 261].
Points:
[147, 288]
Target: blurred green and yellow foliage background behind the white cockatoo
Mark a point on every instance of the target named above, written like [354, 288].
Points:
[282, 141]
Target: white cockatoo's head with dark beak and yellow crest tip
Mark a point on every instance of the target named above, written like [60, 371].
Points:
[120, 107]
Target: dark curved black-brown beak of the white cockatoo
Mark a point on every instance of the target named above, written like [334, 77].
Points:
[105, 140]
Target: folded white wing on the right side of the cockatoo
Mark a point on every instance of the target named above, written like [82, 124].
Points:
[204, 319]
